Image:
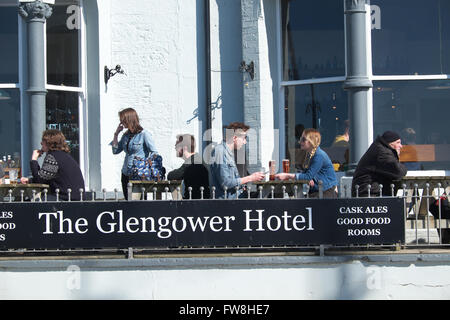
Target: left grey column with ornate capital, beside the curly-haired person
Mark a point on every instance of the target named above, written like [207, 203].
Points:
[35, 14]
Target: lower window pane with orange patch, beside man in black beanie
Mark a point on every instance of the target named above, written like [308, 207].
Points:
[419, 112]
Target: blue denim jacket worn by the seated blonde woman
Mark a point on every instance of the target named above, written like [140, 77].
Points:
[320, 168]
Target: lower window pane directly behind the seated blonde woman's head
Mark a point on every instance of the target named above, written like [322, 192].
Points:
[320, 106]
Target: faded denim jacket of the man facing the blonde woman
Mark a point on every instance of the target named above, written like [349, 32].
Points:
[224, 173]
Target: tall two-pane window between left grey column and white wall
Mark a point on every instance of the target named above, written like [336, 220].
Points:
[65, 103]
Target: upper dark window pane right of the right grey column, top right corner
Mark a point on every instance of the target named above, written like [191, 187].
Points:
[410, 37]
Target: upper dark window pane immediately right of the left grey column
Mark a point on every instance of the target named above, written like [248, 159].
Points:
[63, 29]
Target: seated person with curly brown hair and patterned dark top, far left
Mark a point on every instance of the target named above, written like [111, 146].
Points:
[59, 169]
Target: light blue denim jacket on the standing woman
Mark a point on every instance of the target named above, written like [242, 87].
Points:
[139, 145]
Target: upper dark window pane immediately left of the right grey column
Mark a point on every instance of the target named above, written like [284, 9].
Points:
[313, 39]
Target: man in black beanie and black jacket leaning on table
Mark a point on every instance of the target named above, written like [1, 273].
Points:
[379, 165]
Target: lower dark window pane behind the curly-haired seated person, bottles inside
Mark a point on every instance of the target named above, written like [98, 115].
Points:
[62, 114]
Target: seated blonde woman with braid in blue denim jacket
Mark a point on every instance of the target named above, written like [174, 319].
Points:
[317, 167]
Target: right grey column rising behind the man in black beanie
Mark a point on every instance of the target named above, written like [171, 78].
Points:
[357, 82]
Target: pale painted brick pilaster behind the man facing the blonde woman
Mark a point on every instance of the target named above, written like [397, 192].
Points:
[258, 92]
